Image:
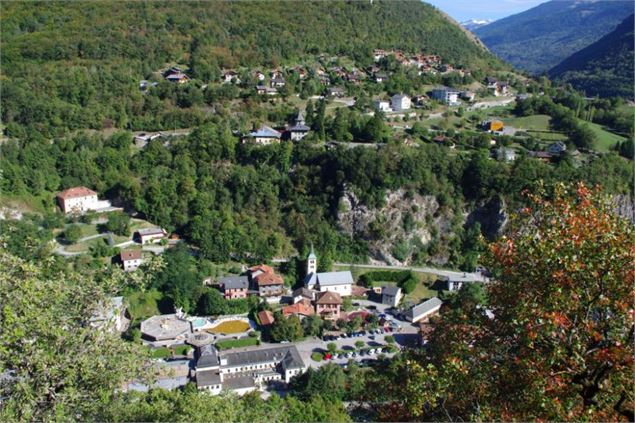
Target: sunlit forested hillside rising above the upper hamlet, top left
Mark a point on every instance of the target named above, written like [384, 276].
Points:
[78, 64]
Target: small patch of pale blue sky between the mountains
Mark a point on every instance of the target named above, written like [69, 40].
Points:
[463, 10]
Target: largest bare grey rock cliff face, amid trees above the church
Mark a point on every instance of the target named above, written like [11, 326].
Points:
[407, 222]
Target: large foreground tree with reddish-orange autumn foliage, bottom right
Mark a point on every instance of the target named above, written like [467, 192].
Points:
[560, 343]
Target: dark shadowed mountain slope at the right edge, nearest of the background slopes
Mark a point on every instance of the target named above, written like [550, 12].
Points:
[605, 67]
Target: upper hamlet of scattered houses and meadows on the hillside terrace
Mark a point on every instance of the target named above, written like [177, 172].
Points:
[471, 105]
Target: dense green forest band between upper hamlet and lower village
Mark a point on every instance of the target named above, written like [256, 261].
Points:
[238, 201]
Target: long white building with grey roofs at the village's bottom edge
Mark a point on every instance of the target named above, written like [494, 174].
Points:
[245, 371]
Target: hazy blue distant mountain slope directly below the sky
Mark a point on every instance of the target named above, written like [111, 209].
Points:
[540, 38]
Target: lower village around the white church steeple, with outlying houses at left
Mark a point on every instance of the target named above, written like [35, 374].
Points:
[242, 352]
